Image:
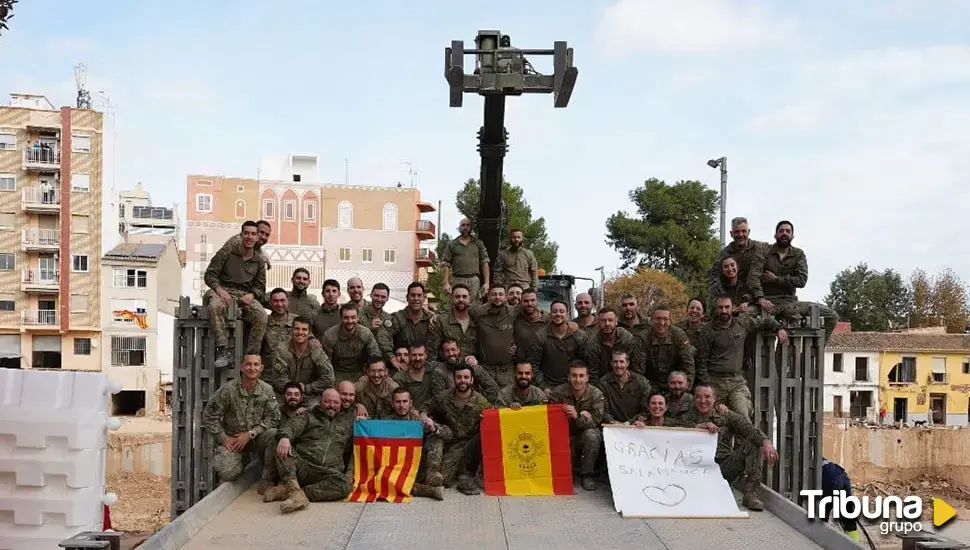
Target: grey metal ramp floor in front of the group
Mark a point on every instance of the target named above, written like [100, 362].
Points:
[586, 520]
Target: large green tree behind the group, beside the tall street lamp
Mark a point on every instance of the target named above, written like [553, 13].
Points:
[672, 230]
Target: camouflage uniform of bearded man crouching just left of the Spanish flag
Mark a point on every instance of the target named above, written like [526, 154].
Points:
[458, 427]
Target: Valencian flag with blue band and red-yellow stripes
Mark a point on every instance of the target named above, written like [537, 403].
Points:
[387, 454]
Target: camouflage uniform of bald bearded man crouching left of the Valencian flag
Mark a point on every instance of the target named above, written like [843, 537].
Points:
[319, 462]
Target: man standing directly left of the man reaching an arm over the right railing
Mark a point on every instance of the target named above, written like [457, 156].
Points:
[667, 349]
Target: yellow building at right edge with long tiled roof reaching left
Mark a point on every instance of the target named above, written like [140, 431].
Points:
[923, 376]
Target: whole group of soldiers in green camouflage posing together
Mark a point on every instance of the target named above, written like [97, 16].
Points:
[310, 370]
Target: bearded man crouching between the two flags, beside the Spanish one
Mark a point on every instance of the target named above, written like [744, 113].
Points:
[457, 415]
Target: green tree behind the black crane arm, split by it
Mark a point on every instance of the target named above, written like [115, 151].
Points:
[518, 215]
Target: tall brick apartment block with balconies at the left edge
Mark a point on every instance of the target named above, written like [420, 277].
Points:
[50, 234]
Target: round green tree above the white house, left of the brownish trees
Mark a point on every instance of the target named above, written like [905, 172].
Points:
[870, 300]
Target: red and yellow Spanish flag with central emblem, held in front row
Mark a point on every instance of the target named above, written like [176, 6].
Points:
[526, 452]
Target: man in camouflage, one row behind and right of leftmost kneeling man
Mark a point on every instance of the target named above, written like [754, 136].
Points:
[301, 362]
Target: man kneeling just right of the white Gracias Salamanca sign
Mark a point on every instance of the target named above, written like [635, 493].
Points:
[741, 458]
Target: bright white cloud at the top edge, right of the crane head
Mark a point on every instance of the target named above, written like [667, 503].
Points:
[692, 26]
